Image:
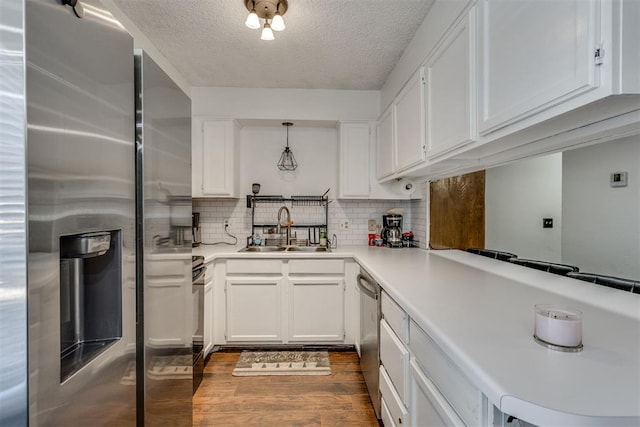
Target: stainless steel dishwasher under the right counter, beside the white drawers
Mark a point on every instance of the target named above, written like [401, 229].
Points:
[370, 313]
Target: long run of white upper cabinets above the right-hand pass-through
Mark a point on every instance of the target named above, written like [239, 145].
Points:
[509, 79]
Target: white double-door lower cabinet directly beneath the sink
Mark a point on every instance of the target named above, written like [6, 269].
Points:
[282, 301]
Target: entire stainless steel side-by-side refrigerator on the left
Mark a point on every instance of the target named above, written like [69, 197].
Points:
[77, 348]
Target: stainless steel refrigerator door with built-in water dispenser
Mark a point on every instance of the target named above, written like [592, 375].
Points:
[81, 187]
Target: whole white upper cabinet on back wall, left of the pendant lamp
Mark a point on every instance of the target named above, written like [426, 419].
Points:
[214, 159]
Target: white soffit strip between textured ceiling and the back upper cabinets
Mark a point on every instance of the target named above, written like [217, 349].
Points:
[285, 104]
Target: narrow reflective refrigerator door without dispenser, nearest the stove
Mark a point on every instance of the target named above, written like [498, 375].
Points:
[163, 163]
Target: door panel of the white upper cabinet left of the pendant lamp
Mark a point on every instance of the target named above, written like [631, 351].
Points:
[218, 159]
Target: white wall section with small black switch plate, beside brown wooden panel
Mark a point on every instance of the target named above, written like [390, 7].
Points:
[517, 197]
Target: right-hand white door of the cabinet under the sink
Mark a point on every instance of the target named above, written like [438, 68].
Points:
[316, 309]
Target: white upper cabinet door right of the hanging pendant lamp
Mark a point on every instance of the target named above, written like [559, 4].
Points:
[354, 159]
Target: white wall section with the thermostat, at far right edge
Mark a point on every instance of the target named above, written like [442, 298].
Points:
[601, 232]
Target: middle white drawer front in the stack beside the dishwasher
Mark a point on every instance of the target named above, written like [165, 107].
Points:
[395, 358]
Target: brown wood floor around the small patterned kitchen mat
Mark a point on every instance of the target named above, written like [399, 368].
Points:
[339, 399]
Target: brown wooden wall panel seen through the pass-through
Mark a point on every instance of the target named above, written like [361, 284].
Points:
[457, 212]
